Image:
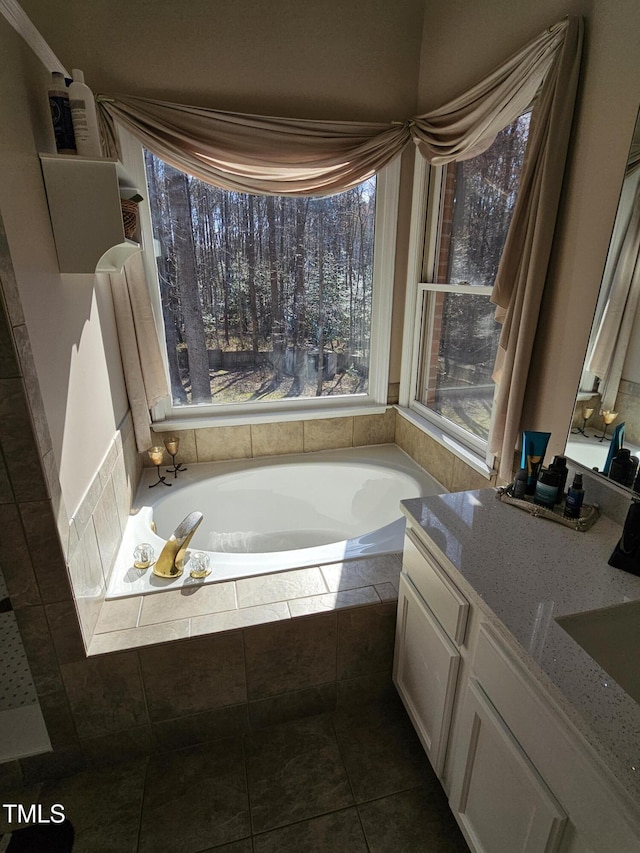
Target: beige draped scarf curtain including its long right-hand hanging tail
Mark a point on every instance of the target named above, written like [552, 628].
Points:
[280, 156]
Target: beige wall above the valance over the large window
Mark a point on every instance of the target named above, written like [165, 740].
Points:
[320, 58]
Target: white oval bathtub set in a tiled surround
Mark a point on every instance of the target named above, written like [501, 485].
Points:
[274, 513]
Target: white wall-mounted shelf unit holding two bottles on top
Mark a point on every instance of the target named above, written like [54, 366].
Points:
[84, 196]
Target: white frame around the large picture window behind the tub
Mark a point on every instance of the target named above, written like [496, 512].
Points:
[373, 401]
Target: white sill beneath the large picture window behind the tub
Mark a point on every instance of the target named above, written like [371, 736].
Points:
[208, 419]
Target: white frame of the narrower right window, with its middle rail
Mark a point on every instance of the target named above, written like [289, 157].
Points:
[421, 268]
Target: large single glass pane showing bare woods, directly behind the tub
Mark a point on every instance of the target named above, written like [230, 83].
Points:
[263, 298]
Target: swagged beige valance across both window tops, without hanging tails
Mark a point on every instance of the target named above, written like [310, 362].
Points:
[281, 156]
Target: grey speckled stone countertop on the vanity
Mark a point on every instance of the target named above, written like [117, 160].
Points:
[524, 572]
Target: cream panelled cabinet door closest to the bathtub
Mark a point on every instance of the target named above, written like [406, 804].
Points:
[425, 670]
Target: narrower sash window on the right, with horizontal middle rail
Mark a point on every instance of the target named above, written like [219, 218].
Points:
[455, 333]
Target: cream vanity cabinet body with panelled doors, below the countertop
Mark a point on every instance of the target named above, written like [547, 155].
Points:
[520, 777]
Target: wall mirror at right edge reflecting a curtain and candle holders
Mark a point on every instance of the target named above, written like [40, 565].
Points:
[610, 380]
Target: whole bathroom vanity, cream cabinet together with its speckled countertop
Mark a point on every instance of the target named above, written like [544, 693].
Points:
[540, 745]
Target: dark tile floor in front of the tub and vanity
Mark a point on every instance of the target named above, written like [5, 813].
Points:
[342, 783]
